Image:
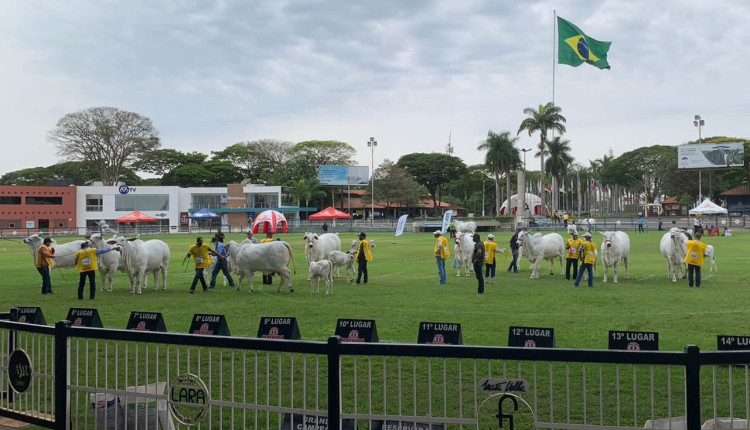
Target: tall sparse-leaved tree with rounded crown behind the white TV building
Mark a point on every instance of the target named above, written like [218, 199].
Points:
[110, 138]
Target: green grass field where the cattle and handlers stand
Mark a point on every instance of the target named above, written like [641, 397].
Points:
[403, 290]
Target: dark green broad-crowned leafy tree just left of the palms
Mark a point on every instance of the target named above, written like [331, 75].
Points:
[433, 171]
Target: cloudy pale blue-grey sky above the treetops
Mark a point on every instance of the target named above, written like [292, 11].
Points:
[213, 73]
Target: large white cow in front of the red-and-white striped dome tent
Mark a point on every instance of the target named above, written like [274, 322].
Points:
[268, 258]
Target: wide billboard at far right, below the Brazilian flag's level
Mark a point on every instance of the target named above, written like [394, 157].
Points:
[710, 155]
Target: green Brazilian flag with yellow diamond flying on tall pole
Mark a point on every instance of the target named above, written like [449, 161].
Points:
[575, 48]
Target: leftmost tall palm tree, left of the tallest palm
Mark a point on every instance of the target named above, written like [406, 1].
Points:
[501, 156]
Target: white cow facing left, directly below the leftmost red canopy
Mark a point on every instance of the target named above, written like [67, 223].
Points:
[139, 258]
